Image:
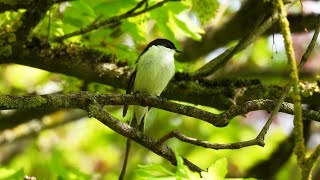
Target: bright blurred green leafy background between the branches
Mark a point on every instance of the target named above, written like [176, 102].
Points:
[66, 144]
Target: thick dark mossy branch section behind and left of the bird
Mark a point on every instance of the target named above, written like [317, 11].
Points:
[74, 60]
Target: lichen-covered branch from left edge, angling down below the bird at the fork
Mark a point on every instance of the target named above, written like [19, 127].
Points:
[88, 101]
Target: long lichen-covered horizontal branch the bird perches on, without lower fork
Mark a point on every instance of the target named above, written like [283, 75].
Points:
[80, 99]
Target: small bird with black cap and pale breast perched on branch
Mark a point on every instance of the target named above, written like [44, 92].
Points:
[153, 70]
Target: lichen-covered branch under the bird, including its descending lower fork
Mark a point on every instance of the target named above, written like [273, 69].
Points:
[93, 103]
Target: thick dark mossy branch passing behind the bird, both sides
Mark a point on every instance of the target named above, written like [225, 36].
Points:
[94, 66]
